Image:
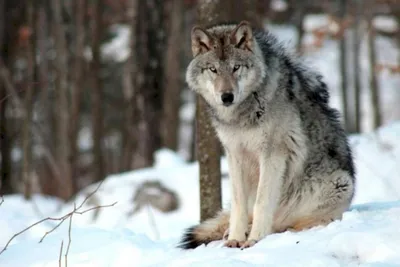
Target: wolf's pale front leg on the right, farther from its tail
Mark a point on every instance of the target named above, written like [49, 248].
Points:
[269, 188]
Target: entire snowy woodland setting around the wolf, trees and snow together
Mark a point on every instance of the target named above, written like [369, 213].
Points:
[106, 155]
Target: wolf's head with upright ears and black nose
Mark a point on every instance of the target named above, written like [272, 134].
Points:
[227, 64]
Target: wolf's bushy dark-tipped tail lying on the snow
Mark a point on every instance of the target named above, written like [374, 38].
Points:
[209, 230]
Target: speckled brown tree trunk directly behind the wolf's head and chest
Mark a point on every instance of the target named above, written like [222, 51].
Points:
[207, 145]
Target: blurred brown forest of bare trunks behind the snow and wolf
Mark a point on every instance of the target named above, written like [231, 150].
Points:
[76, 107]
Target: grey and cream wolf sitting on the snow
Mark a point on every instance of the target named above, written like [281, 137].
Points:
[290, 164]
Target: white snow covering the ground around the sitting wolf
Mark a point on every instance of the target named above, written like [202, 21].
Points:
[368, 235]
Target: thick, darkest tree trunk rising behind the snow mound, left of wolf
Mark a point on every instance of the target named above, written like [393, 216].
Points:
[150, 79]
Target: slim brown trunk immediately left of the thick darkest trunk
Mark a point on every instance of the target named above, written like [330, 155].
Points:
[129, 86]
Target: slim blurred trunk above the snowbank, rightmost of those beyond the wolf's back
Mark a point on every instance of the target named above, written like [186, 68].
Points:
[374, 86]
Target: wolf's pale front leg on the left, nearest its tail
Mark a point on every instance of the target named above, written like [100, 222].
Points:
[238, 221]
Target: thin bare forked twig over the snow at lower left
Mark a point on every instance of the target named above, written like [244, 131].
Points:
[61, 219]
